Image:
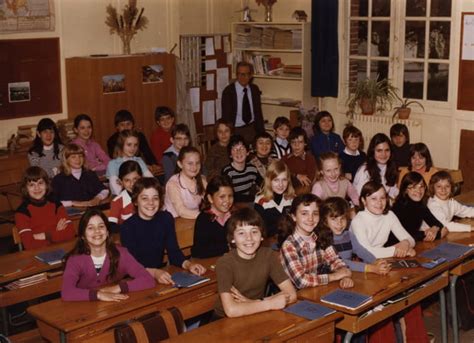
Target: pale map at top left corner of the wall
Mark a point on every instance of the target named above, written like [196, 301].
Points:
[26, 15]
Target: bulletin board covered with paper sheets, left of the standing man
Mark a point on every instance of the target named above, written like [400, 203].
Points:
[207, 61]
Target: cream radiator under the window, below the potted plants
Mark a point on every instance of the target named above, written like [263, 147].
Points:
[371, 125]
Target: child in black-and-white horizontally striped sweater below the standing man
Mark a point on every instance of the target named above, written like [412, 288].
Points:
[244, 176]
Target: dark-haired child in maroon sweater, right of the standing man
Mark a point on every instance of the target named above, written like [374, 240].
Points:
[301, 162]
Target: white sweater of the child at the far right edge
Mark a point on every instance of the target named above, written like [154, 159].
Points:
[445, 210]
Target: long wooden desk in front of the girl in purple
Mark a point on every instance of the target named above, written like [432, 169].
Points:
[86, 319]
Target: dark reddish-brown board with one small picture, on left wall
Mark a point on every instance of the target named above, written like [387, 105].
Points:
[30, 77]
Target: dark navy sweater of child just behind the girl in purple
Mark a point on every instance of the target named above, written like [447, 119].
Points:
[147, 240]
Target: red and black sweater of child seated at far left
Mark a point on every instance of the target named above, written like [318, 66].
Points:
[41, 217]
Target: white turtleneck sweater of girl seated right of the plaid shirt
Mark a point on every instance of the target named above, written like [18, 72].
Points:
[371, 231]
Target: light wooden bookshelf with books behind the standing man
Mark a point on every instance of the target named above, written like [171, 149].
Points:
[281, 55]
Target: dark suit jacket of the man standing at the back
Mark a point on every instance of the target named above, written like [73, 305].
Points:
[229, 105]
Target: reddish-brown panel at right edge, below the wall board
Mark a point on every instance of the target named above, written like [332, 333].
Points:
[466, 158]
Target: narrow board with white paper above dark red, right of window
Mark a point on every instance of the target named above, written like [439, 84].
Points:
[466, 63]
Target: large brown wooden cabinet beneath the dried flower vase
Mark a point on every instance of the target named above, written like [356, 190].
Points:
[84, 77]
